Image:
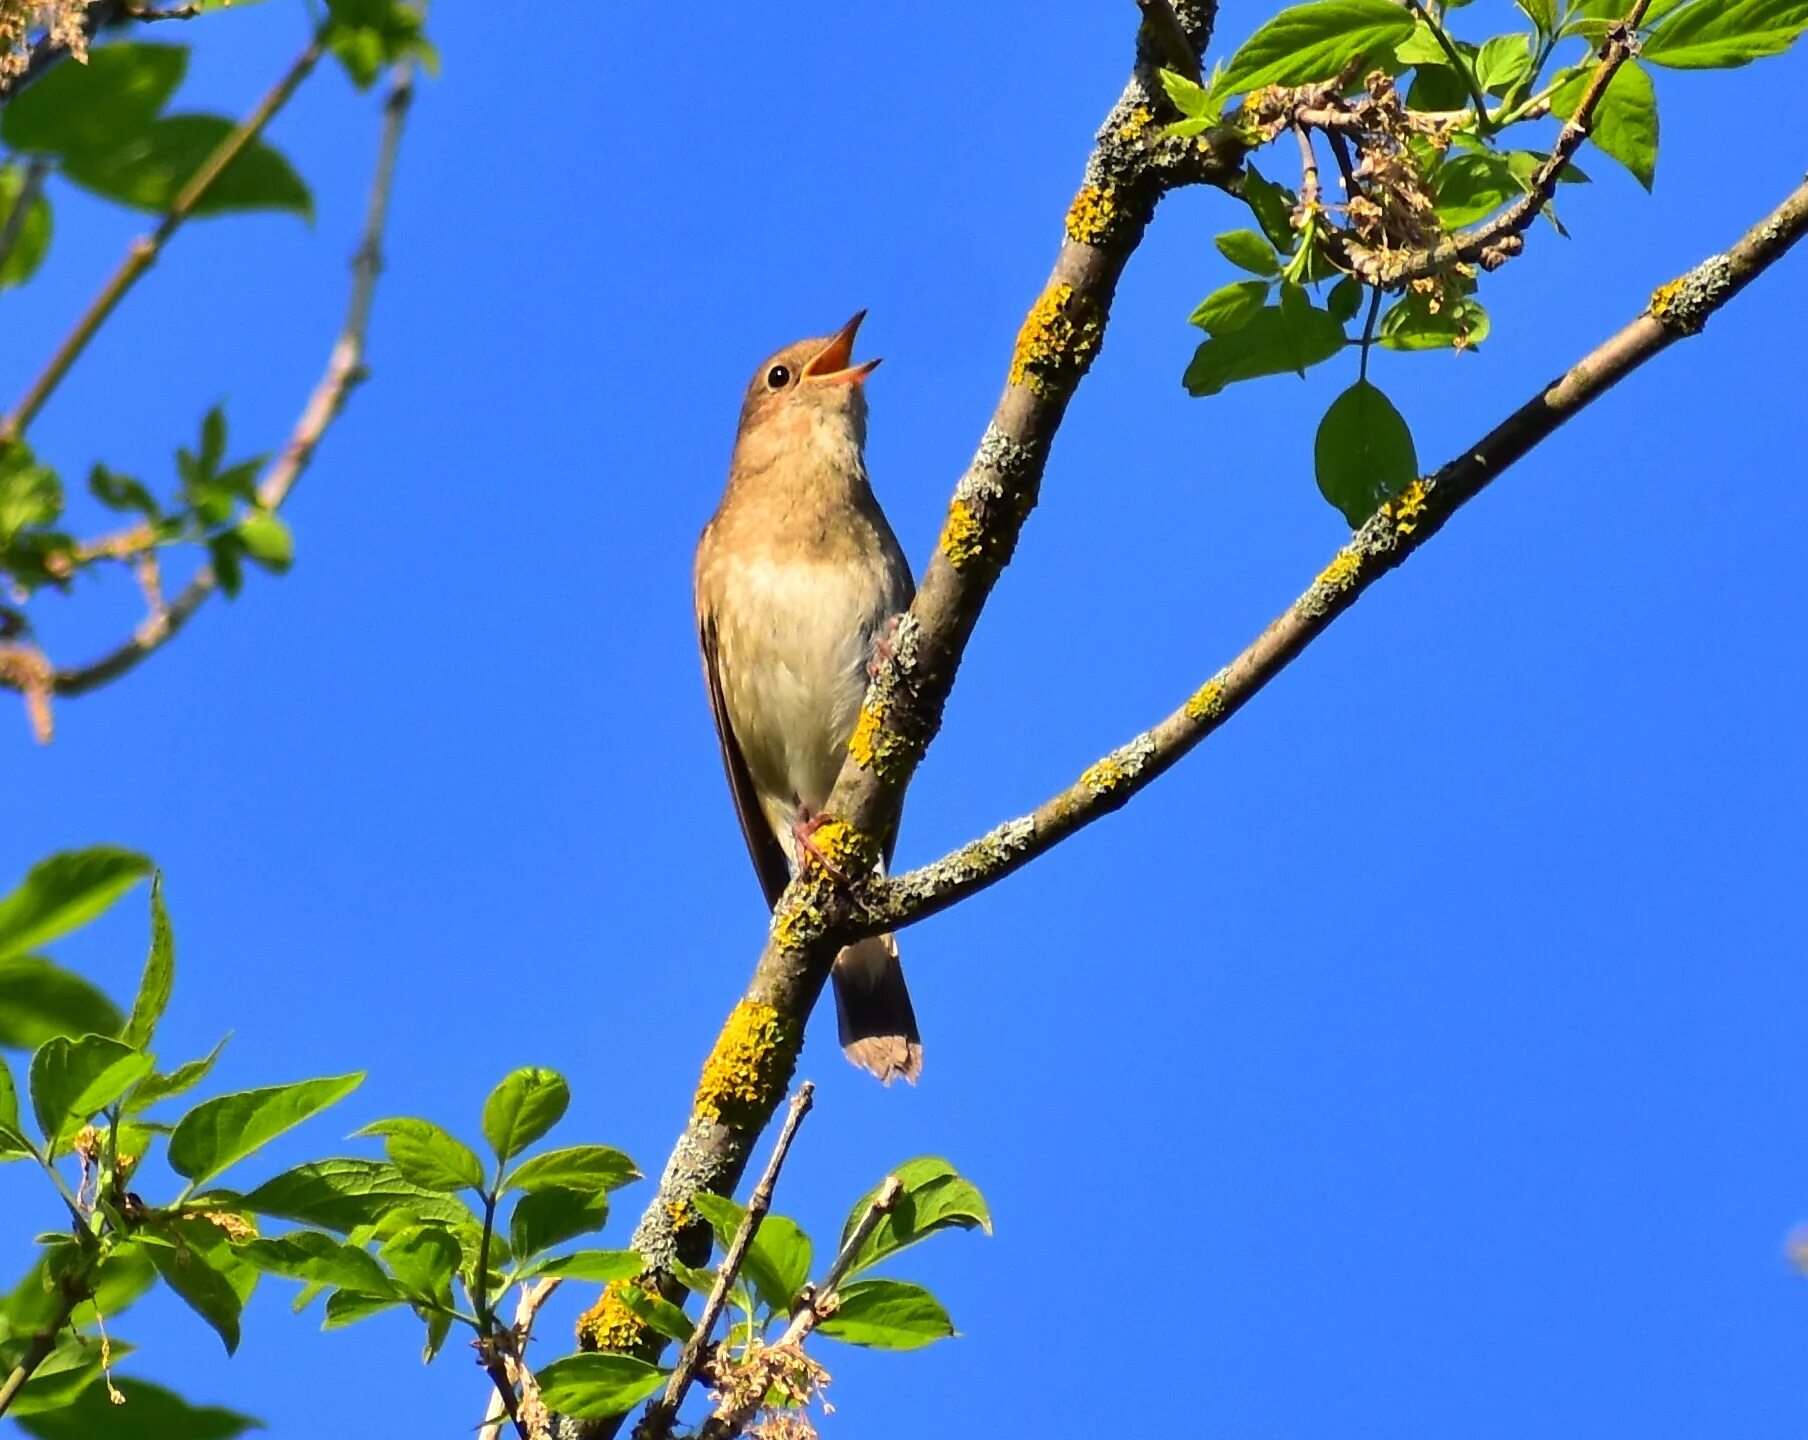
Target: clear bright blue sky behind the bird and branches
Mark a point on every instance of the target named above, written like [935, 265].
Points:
[1426, 1056]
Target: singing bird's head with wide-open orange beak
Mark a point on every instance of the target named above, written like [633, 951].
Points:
[811, 395]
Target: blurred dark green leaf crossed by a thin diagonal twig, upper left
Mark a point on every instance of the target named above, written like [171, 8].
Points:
[151, 167]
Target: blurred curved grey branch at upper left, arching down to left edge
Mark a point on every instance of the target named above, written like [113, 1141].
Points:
[343, 374]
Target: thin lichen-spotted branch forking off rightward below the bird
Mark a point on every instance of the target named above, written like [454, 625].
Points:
[1675, 312]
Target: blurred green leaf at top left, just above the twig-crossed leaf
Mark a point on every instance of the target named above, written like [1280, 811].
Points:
[88, 108]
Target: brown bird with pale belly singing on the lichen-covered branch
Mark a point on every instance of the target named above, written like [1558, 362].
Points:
[798, 580]
